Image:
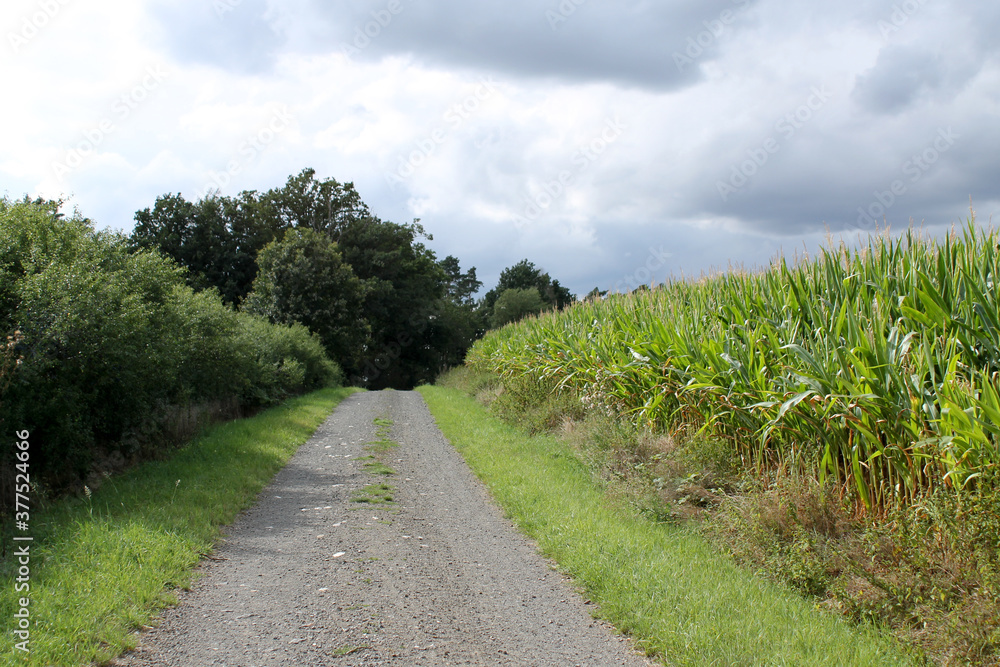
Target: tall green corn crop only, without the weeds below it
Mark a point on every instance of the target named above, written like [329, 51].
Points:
[875, 368]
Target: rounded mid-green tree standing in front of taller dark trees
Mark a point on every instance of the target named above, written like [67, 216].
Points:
[303, 278]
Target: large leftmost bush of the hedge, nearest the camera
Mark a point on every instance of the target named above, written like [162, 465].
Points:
[89, 313]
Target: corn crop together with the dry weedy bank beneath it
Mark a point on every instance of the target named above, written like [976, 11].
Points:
[833, 423]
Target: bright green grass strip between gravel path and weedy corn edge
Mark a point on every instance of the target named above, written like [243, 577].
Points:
[679, 598]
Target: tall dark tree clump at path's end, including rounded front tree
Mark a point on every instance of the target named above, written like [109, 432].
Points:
[415, 314]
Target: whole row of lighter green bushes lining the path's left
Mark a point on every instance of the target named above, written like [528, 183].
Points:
[110, 338]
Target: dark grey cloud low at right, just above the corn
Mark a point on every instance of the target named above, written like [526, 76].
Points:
[832, 181]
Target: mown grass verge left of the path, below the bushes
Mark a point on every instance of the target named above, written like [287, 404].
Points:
[103, 566]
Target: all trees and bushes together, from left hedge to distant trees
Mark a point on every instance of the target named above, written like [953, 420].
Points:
[218, 306]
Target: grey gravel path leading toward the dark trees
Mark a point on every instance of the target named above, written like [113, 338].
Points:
[309, 576]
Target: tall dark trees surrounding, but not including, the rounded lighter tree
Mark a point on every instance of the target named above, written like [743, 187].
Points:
[413, 328]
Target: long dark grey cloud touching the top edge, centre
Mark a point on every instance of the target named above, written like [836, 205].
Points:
[631, 43]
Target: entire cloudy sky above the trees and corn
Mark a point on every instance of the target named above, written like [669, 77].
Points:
[610, 143]
